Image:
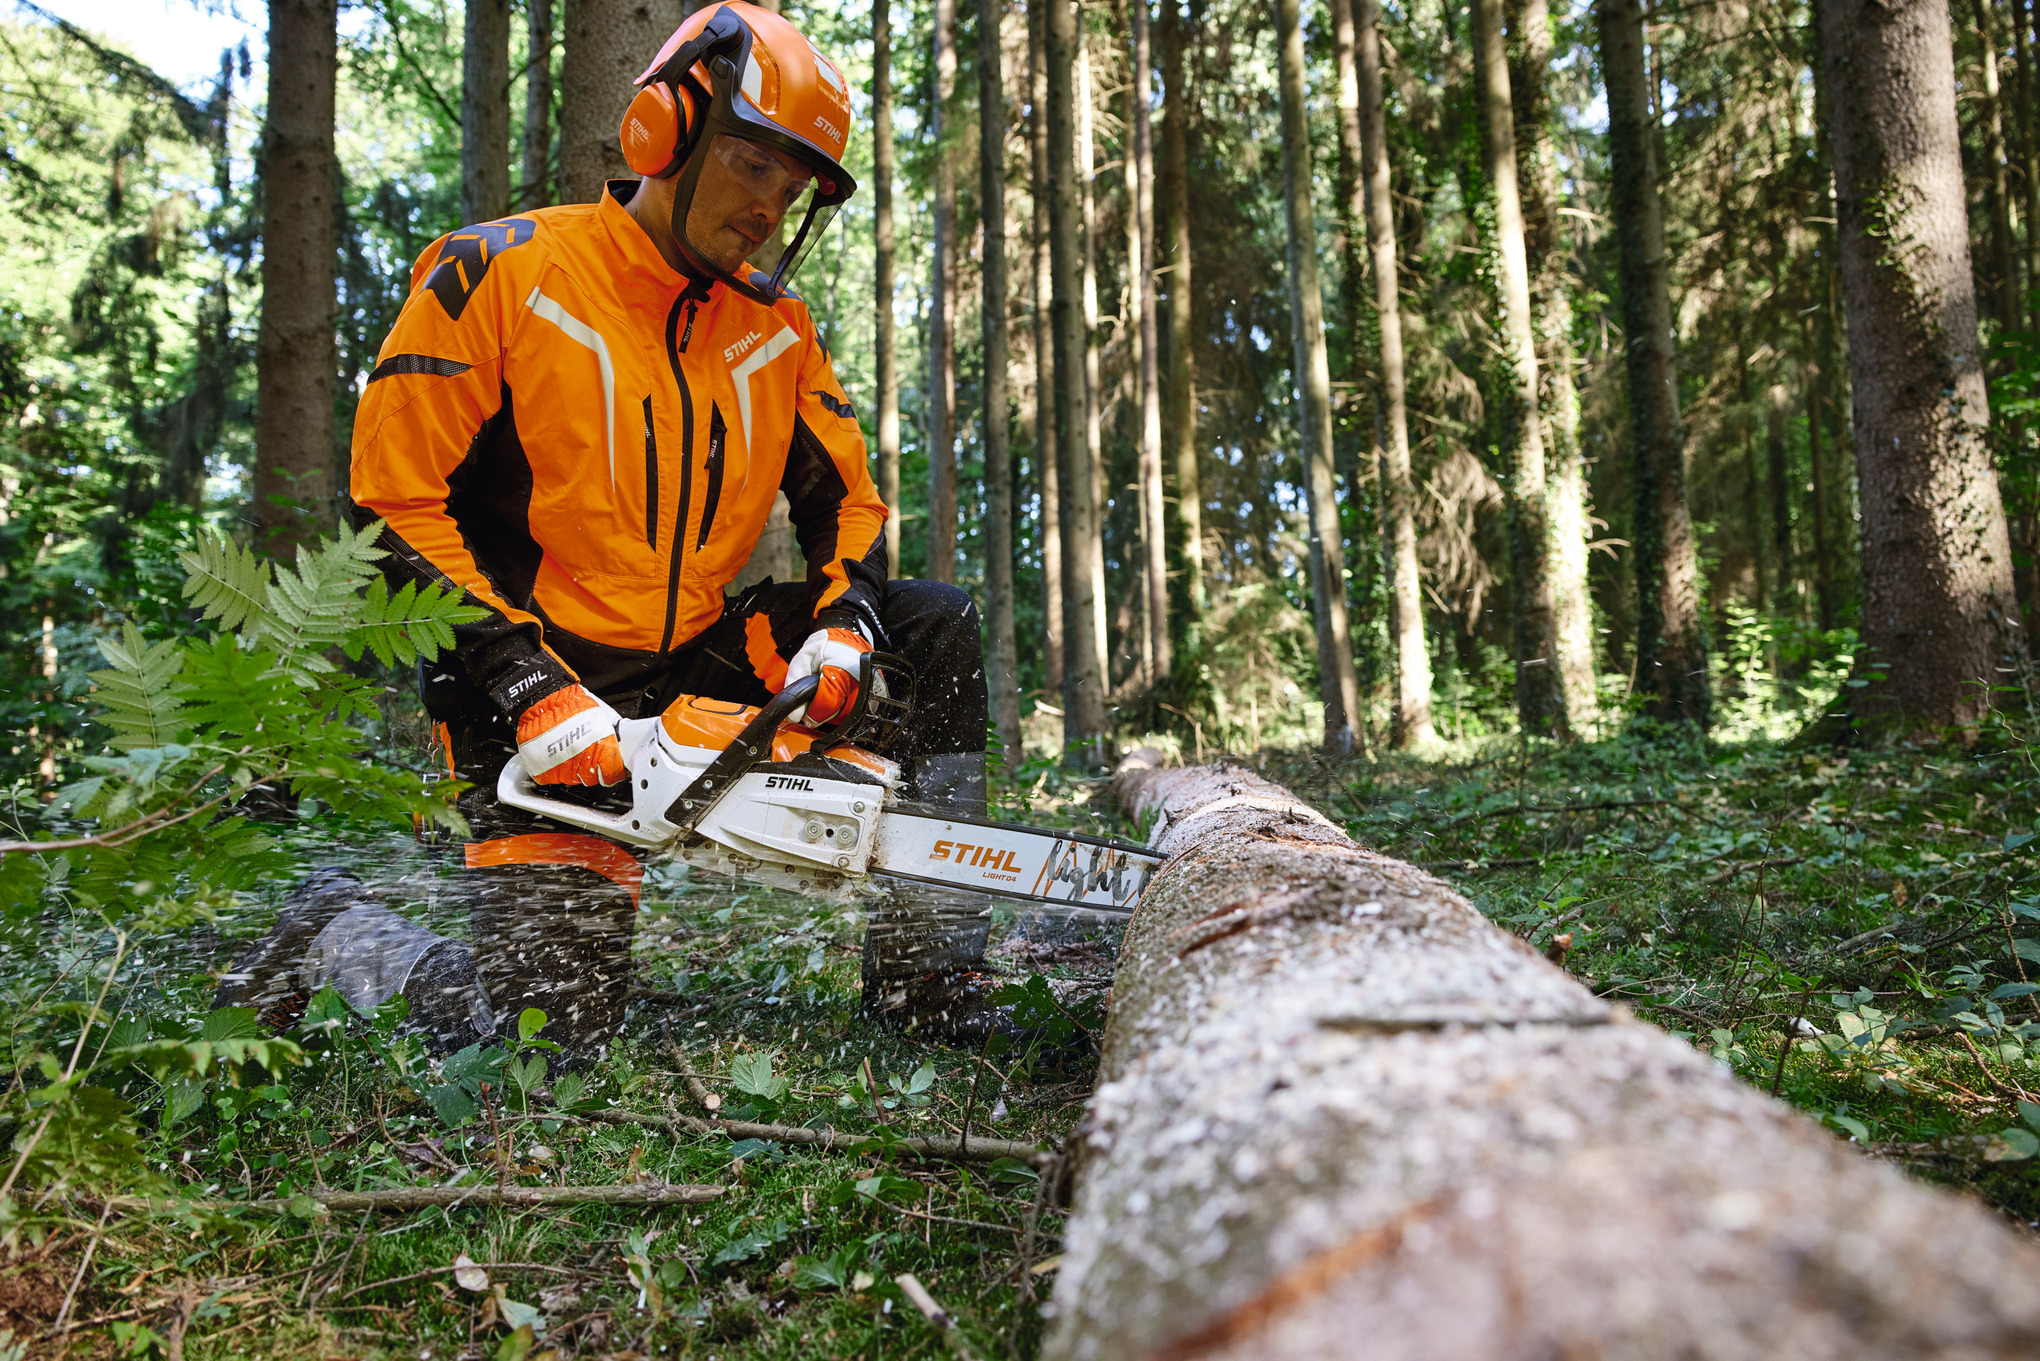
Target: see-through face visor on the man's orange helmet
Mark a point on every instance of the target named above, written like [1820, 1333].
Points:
[758, 209]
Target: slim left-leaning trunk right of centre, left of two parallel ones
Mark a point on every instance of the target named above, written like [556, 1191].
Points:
[1337, 678]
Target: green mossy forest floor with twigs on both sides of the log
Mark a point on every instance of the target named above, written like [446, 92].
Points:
[1876, 907]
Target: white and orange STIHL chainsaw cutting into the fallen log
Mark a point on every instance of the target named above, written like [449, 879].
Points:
[746, 793]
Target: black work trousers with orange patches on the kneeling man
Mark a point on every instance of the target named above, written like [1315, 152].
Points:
[554, 913]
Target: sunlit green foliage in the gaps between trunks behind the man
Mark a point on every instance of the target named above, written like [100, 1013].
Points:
[134, 313]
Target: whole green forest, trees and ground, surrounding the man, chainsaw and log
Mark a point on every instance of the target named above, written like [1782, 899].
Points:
[1453, 409]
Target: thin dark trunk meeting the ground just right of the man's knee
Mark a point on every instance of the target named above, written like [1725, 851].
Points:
[1005, 660]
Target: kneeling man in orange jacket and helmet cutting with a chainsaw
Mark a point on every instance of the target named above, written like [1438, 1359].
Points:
[582, 421]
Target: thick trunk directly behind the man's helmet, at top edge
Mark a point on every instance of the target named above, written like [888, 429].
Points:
[609, 44]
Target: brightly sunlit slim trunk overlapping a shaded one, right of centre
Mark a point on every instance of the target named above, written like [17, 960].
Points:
[1539, 699]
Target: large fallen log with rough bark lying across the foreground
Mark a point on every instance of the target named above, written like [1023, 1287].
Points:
[1339, 1113]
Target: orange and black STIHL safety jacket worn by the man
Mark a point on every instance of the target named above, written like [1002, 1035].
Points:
[589, 444]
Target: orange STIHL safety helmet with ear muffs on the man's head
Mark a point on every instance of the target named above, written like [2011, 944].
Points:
[739, 70]
